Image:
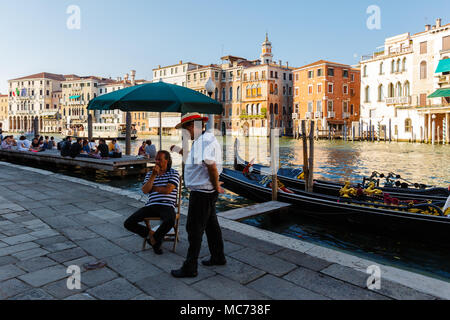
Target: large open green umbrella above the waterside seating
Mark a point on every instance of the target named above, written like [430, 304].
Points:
[156, 97]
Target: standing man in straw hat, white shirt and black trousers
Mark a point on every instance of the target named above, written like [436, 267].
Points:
[202, 169]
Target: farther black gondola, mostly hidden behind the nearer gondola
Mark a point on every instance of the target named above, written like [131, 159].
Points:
[395, 186]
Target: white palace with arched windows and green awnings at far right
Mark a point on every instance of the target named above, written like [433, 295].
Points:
[397, 85]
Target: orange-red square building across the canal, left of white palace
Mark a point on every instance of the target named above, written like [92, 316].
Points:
[328, 93]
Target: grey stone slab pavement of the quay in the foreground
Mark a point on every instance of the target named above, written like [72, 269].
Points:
[48, 224]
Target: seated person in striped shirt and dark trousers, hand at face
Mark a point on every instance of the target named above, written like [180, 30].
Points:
[161, 185]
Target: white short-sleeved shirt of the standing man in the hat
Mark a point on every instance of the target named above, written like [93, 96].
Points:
[204, 148]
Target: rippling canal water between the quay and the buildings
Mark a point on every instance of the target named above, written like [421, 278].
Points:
[336, 161]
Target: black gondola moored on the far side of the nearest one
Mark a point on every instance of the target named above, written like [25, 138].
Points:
[289, 177]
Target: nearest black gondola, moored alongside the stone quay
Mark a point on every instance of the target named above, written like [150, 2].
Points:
[351, 210]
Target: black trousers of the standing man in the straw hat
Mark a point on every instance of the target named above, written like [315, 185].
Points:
[202, 218]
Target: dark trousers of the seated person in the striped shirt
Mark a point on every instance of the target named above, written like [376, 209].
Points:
[166, 213]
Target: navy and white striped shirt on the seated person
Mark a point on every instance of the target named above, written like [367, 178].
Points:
[172, 177]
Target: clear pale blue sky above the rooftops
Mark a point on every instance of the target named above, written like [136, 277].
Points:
[116, 36]
